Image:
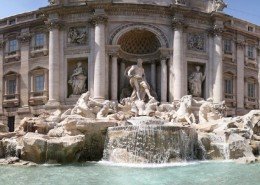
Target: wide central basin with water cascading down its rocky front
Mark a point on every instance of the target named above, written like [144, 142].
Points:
[147, 143]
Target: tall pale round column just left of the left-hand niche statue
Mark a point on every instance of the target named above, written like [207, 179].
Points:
[54, 61]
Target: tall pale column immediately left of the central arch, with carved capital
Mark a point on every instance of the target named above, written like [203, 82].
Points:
[99, 20]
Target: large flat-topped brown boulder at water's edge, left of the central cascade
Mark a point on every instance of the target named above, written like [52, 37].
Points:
[41, 148]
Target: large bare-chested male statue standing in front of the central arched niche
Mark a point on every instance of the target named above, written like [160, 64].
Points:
[138, 82]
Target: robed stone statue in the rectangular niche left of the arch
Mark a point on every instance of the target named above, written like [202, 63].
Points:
[78, 80]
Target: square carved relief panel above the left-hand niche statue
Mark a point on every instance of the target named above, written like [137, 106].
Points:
[77, 35]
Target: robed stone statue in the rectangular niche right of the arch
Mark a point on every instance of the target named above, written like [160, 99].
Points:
[195, 82]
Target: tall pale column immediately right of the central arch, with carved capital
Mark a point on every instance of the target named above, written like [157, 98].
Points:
[178, 59]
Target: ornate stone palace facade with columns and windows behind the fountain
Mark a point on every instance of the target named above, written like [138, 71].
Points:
[50, 56]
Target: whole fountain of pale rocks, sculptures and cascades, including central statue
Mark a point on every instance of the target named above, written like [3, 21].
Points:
[136, 130]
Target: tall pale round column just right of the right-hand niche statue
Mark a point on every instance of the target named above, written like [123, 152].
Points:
[217, 65]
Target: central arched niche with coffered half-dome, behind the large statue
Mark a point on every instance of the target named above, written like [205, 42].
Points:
[139, 41]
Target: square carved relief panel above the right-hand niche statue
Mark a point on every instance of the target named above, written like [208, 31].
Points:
[196, 41]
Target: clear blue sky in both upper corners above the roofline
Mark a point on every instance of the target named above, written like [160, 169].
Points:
[244, 9]
